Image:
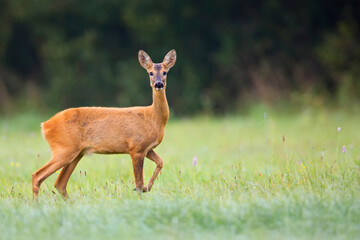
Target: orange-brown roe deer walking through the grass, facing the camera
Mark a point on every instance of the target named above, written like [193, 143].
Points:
[135, 130]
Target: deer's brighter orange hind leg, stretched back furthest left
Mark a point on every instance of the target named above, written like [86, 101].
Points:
[58, 160]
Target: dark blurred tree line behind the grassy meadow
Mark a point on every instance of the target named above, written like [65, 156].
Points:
[61, 53]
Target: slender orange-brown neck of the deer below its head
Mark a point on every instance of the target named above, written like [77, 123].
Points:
[160, 106]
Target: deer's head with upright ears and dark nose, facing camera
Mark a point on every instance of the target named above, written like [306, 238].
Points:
[157, 71]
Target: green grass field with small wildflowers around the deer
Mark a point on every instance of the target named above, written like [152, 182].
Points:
[262, 175]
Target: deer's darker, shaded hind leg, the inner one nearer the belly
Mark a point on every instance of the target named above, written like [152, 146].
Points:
[63, 178]
